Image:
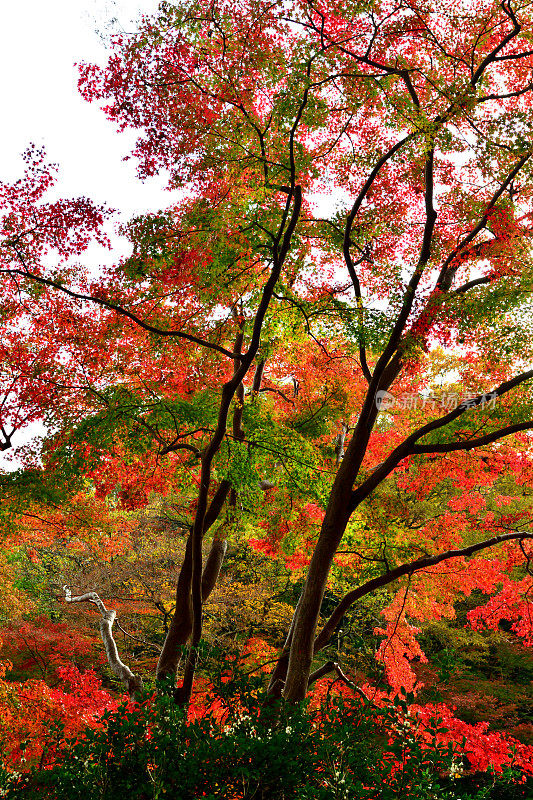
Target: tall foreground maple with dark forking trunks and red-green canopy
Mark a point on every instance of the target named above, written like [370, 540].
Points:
[417, 123]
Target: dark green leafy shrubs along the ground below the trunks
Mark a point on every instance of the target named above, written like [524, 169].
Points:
[237, 747]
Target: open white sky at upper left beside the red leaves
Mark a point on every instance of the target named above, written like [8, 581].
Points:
[40, 41]
